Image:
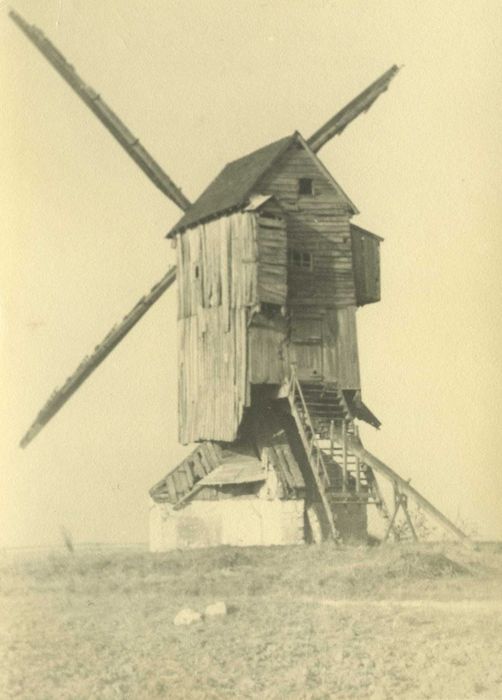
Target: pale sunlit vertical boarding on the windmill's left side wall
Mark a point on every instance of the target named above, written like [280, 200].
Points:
[217, 286]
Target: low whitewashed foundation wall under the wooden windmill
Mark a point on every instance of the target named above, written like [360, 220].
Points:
[243, 521]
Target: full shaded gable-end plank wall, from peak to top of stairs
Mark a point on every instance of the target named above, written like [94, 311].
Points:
[318, 224]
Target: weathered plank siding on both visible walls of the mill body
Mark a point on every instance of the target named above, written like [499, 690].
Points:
[239, 292]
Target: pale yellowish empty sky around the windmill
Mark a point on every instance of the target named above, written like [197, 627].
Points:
[82, 233]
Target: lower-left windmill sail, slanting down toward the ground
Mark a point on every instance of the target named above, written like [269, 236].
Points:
[91, 362]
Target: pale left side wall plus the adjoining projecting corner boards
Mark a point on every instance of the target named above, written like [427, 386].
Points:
[226, 268]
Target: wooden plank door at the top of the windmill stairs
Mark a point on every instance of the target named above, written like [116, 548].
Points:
[306, 347]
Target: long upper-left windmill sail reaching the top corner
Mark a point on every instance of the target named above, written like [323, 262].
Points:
[103, 112]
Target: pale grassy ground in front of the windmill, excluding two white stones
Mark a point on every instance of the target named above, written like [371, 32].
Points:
[391, 622]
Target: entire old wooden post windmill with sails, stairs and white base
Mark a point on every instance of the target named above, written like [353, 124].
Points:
[270, 273]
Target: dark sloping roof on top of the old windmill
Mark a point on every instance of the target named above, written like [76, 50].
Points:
[232, 187]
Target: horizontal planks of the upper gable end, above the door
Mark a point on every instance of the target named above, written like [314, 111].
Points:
[317, 224]
